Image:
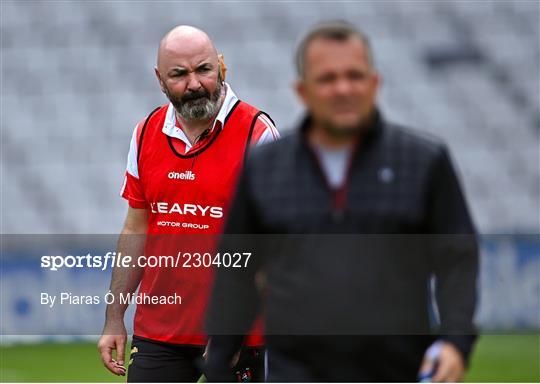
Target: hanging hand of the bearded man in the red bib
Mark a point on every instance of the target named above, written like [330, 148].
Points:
[114, 338]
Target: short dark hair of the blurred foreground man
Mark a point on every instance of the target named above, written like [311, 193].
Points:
[334, 30]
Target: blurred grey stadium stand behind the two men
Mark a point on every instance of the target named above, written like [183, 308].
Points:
[77, 76]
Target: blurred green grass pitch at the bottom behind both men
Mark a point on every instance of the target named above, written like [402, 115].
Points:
[514, 358]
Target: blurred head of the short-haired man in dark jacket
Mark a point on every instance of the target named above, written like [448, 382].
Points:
[337, 80]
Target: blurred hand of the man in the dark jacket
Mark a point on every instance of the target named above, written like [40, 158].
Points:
[450, 366]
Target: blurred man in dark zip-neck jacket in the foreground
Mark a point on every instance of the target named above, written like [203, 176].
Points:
[373, 210]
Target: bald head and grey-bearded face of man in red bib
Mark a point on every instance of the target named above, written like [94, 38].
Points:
[188, 73]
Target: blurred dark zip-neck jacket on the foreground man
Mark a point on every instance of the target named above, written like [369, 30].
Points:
[361, 257]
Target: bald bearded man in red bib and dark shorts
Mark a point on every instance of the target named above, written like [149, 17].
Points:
[182, 167]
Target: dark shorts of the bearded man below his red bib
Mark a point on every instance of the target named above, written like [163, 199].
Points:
[154, 361]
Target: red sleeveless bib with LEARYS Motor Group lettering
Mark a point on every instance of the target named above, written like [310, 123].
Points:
[189, 196]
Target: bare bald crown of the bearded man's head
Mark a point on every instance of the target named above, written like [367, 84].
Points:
[185, 40]
